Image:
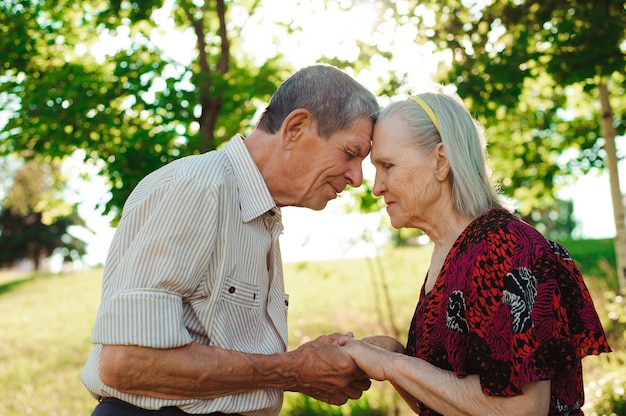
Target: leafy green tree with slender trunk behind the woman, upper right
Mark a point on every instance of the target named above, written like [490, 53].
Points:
[540, 73]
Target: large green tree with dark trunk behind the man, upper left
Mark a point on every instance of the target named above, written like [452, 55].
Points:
[139, 108]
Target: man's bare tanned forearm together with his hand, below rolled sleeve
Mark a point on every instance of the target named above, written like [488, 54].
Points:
[319, 368]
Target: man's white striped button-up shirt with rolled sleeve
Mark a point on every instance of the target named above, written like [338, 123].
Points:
[196, 258]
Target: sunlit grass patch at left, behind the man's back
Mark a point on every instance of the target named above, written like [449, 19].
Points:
[44, 341]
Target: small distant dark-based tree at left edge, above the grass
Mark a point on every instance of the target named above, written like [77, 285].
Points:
[35, 221]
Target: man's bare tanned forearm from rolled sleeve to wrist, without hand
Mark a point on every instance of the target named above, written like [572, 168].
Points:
[194, 371]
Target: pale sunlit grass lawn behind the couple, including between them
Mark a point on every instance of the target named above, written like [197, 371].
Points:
[46, 321]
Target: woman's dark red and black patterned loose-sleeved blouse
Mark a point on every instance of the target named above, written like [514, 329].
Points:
[511, 307]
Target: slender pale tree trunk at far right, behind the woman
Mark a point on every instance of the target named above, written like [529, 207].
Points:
[608, 131]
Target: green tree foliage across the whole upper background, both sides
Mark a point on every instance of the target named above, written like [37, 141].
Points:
[524, 67]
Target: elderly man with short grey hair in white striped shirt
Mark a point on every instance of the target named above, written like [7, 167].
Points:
[193, 318]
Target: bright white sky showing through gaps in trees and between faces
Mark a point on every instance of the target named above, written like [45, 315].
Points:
[330, 31]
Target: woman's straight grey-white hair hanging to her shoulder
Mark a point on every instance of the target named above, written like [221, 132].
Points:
[464, 142]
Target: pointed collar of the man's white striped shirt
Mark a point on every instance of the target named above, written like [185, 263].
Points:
[255, 198]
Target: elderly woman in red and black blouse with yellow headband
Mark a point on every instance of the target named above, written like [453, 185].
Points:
[504, 316]
